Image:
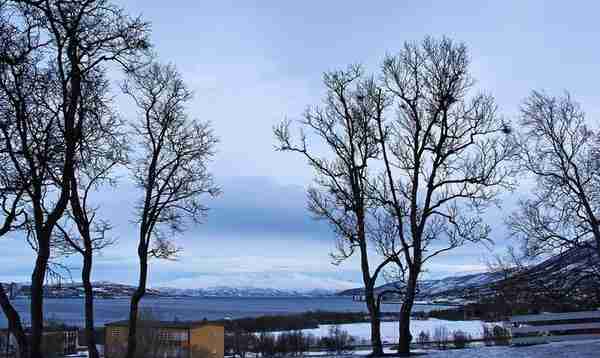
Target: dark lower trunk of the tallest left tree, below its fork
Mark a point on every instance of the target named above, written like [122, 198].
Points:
[37, 297]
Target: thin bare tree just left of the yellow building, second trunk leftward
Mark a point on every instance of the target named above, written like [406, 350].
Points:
[102, 149]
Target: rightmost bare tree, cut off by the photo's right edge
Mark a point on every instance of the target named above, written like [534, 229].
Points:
[561, 153]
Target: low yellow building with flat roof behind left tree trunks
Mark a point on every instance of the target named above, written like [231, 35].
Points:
[162, 339]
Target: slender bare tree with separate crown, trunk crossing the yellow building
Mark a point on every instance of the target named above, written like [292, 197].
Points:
[170, 167]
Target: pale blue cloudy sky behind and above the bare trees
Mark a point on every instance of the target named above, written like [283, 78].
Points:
[251, 64]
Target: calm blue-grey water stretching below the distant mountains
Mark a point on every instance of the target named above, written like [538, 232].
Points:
[70, 311]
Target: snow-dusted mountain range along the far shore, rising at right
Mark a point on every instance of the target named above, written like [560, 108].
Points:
[558, 271]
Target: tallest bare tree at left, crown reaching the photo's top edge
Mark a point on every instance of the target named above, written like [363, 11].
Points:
[45, 65]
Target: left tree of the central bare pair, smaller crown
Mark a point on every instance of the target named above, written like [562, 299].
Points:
[346, 127]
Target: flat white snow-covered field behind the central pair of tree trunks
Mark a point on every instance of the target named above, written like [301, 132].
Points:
[389, 330]
